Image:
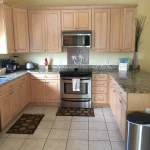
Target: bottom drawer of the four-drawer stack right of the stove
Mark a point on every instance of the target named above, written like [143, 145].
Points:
[99, 98]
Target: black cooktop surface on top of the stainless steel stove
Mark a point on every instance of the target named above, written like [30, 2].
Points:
[75, 72]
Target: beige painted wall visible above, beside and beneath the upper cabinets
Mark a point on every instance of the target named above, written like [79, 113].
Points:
[95, 58]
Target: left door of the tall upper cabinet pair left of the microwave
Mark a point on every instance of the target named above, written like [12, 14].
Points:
[37, 31]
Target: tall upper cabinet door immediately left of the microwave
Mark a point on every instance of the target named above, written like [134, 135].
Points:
[53, 31]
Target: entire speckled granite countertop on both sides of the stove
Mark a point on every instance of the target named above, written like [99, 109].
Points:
[131, 82]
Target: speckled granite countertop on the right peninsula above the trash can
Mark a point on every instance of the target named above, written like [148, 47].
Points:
[133, 81]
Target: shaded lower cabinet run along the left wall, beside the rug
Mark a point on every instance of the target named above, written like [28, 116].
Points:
[13, 101]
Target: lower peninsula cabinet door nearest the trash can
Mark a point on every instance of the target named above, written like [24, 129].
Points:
[123, 120]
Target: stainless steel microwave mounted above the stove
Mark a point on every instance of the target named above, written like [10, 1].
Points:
[76, 38]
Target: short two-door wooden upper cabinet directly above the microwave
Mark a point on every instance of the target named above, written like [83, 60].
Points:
[76, 19]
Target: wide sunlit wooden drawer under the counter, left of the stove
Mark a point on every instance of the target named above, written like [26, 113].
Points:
[45, 76]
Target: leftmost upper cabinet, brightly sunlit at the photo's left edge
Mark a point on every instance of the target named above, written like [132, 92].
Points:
[6, 30]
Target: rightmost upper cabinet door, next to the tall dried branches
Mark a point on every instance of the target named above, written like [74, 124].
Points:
[129, 29]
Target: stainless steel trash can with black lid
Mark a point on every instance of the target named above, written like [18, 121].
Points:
[138, 131]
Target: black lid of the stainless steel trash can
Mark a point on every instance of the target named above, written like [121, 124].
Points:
[139, 118]
